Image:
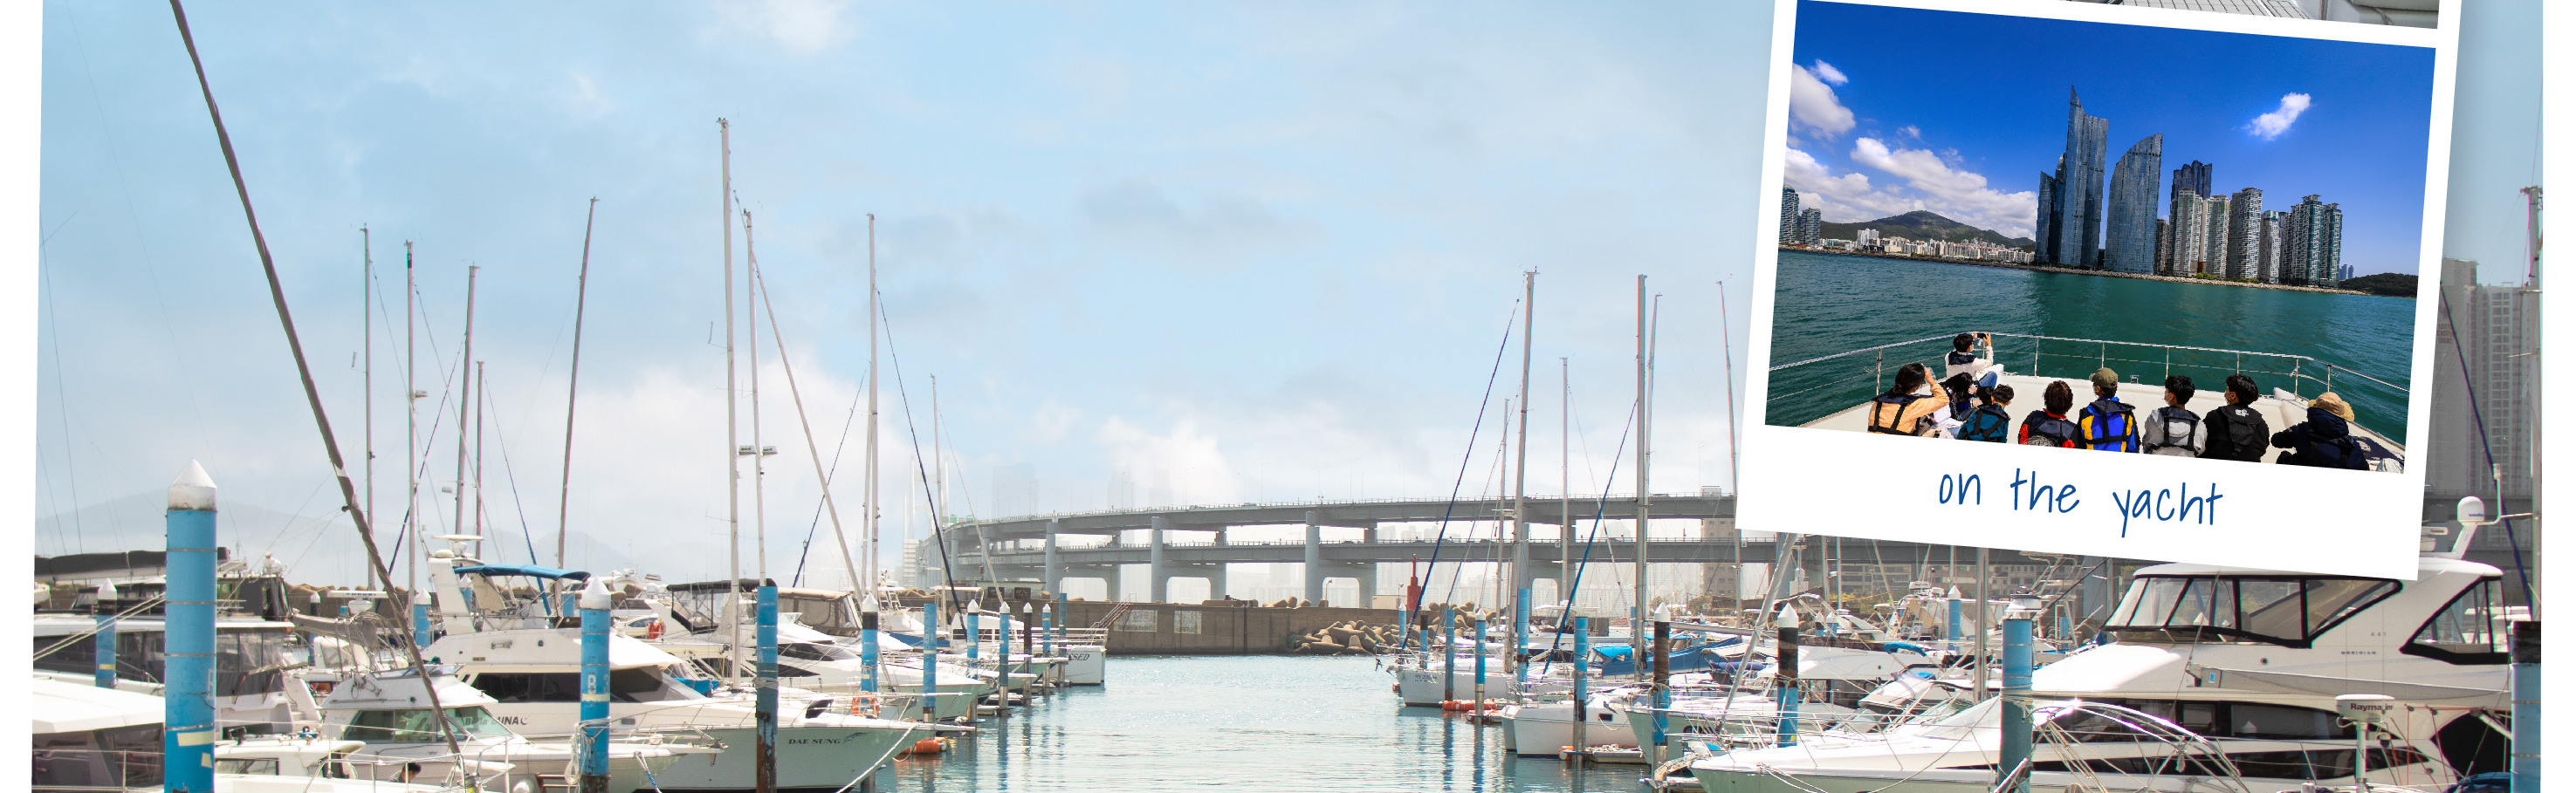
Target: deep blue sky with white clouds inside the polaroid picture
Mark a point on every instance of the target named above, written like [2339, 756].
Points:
[1964, 112]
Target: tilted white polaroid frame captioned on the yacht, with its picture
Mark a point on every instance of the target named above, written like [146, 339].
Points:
[2098, 200]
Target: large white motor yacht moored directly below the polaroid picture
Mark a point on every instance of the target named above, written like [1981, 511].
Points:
[2245, 660]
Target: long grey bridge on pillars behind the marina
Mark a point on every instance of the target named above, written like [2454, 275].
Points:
[1194, 542]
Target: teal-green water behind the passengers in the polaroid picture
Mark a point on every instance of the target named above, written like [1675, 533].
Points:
[1843, 303]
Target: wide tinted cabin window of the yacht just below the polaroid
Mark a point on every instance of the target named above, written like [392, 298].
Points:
[2286, 611]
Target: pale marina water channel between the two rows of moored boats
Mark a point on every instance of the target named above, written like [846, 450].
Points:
[1248, 725]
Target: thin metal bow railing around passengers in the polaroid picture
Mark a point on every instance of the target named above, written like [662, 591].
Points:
[1869, 369]
